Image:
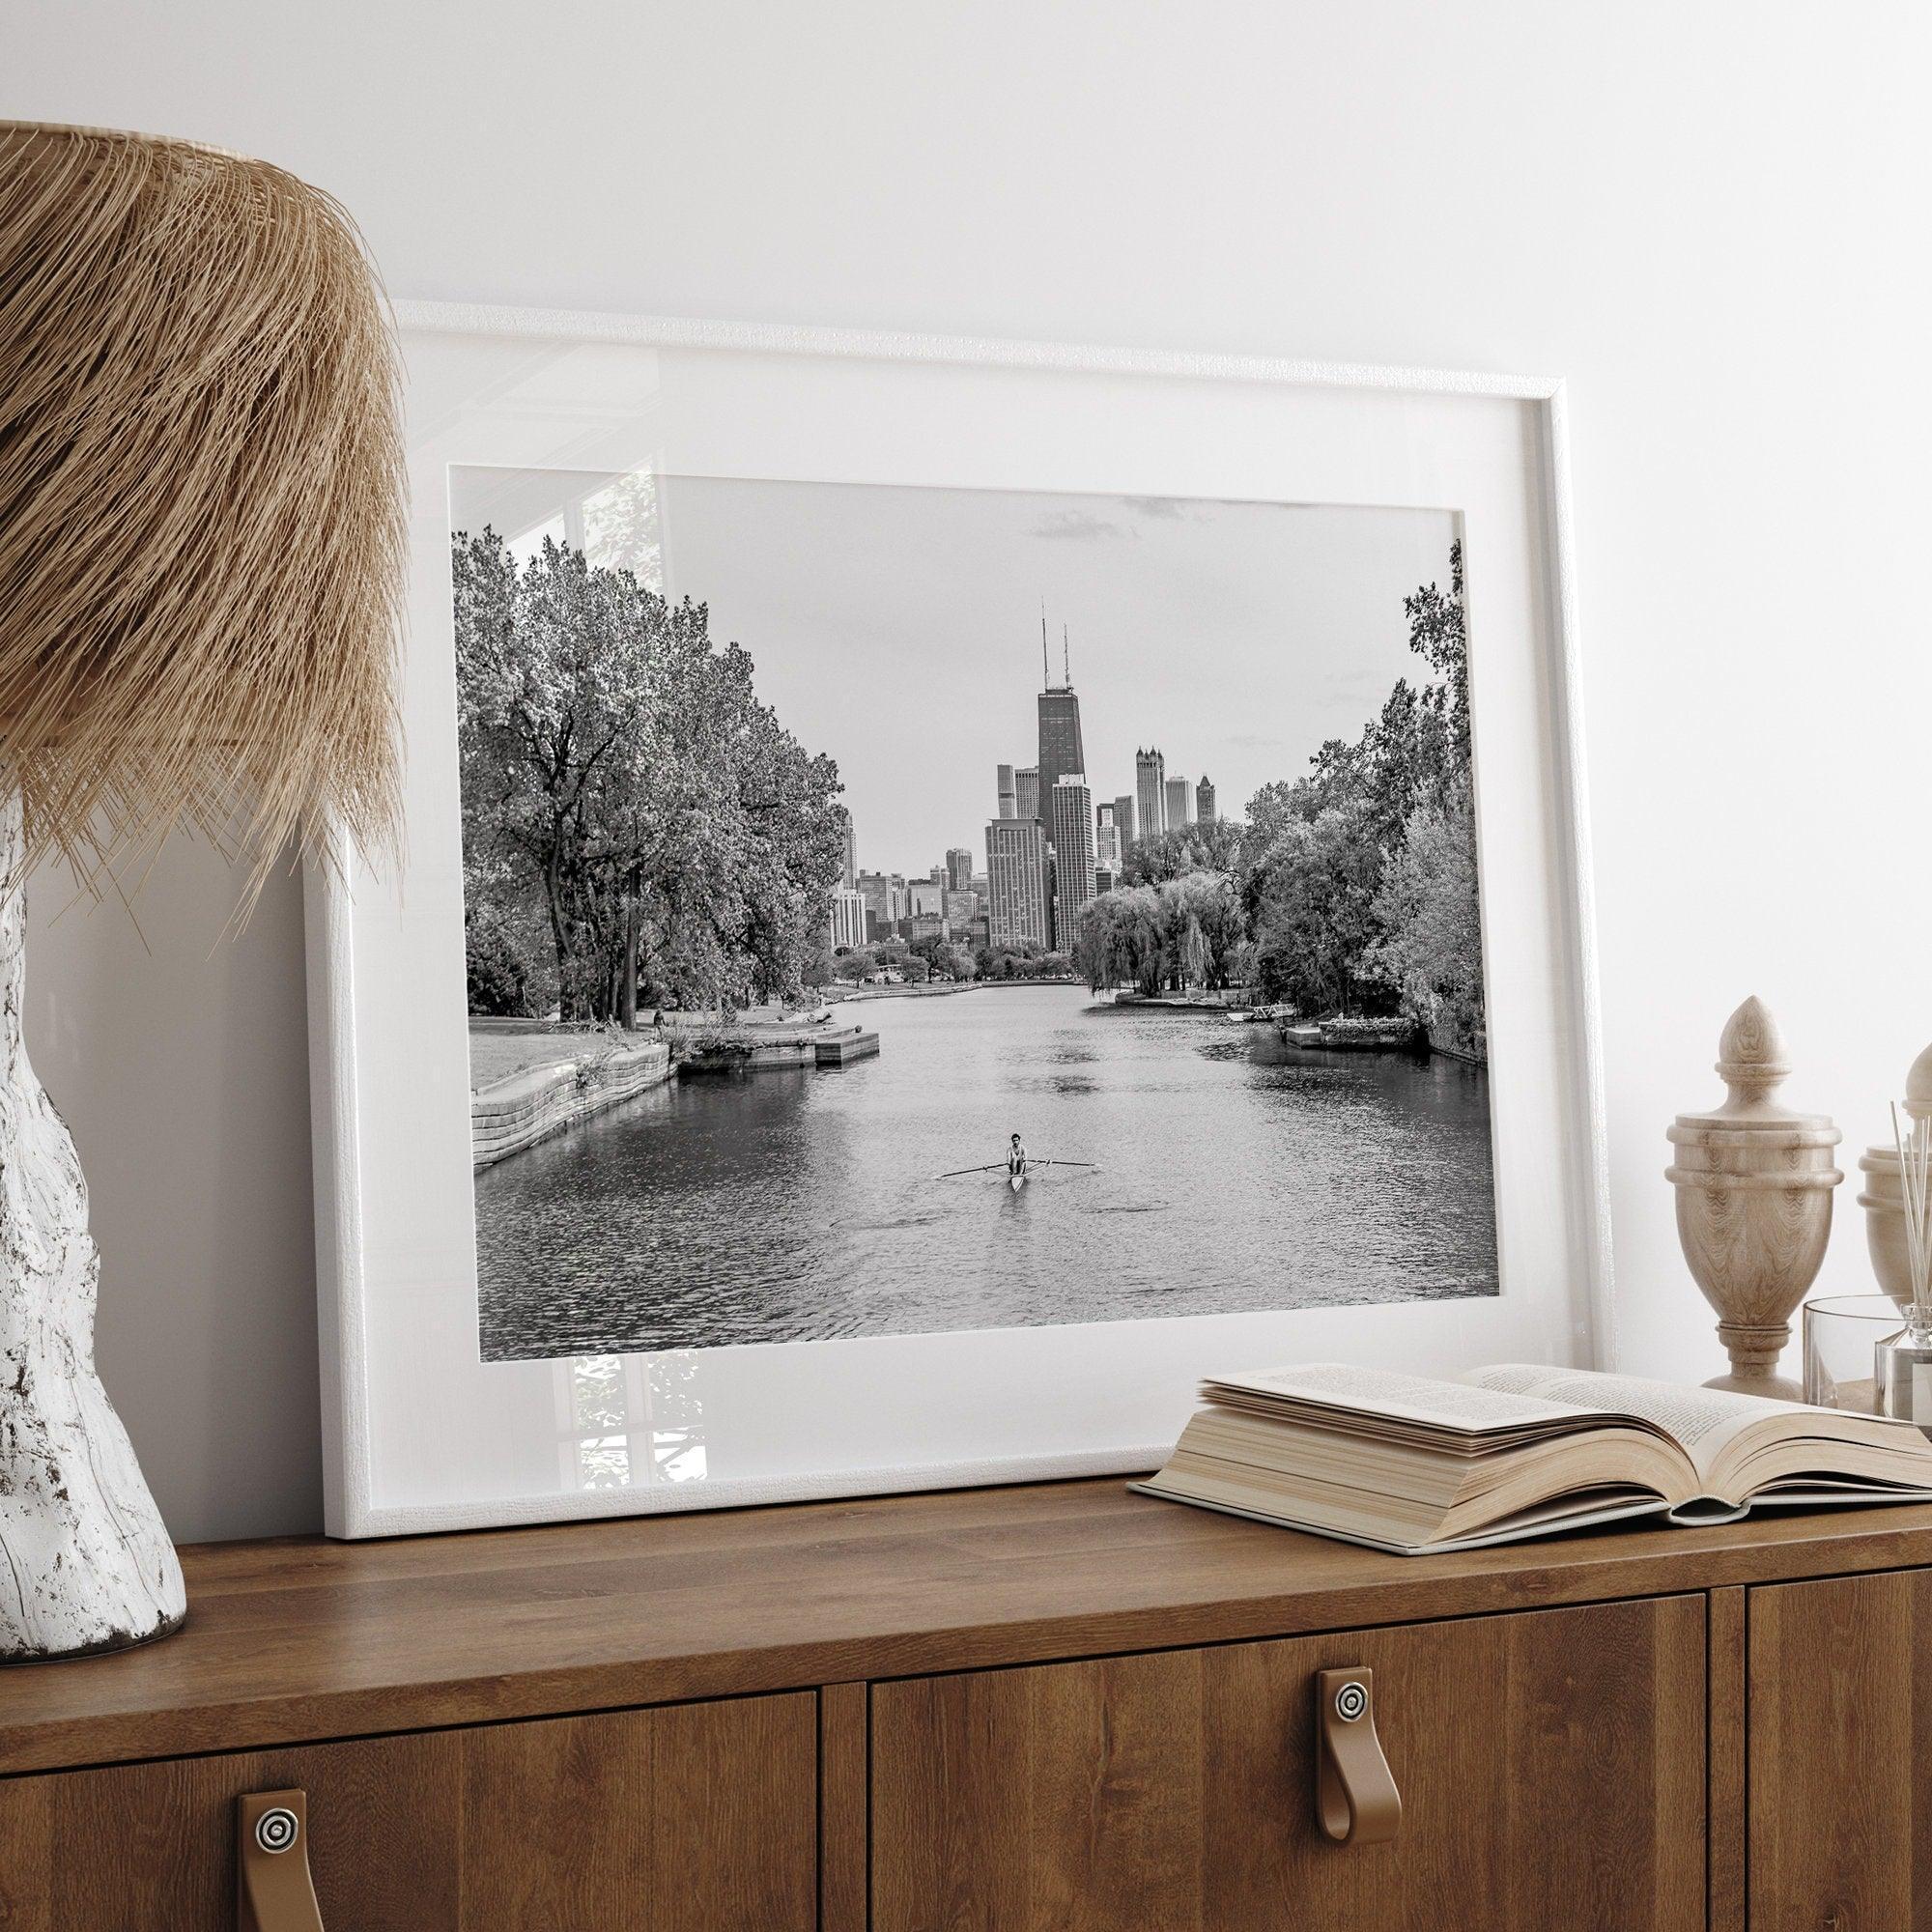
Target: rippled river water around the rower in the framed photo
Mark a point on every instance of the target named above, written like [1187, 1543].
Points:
[1234, 1174]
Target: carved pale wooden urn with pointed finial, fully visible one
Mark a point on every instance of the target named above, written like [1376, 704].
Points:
[1753, 1203]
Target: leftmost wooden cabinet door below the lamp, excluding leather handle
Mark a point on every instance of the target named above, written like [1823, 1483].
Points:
[689, 1819]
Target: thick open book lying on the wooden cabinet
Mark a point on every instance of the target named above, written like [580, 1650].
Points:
[1417, 1465]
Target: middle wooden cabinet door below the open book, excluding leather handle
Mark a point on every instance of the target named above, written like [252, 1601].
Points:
[1550, 1765]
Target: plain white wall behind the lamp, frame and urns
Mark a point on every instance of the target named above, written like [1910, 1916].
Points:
[1709, 217]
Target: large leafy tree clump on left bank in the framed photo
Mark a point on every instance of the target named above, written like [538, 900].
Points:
[623, 776]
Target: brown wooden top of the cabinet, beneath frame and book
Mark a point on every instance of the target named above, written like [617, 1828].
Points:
[302, 1641]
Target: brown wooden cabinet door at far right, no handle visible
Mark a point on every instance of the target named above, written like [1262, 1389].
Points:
[1838, 1742]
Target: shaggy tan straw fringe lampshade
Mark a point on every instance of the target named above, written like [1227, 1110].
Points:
[202, 515]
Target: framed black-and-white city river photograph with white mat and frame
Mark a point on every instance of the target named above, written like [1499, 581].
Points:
[952, 892]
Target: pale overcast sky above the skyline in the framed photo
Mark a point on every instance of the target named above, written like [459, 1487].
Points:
[899, 631]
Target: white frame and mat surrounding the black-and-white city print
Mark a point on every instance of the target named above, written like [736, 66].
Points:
[420, 1433]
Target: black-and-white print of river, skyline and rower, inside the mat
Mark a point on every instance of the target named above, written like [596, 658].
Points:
[899, 911]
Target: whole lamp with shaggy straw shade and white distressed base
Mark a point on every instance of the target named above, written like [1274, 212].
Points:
[202, 550]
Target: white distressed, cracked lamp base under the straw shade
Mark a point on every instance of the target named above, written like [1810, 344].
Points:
[86, 1562]
